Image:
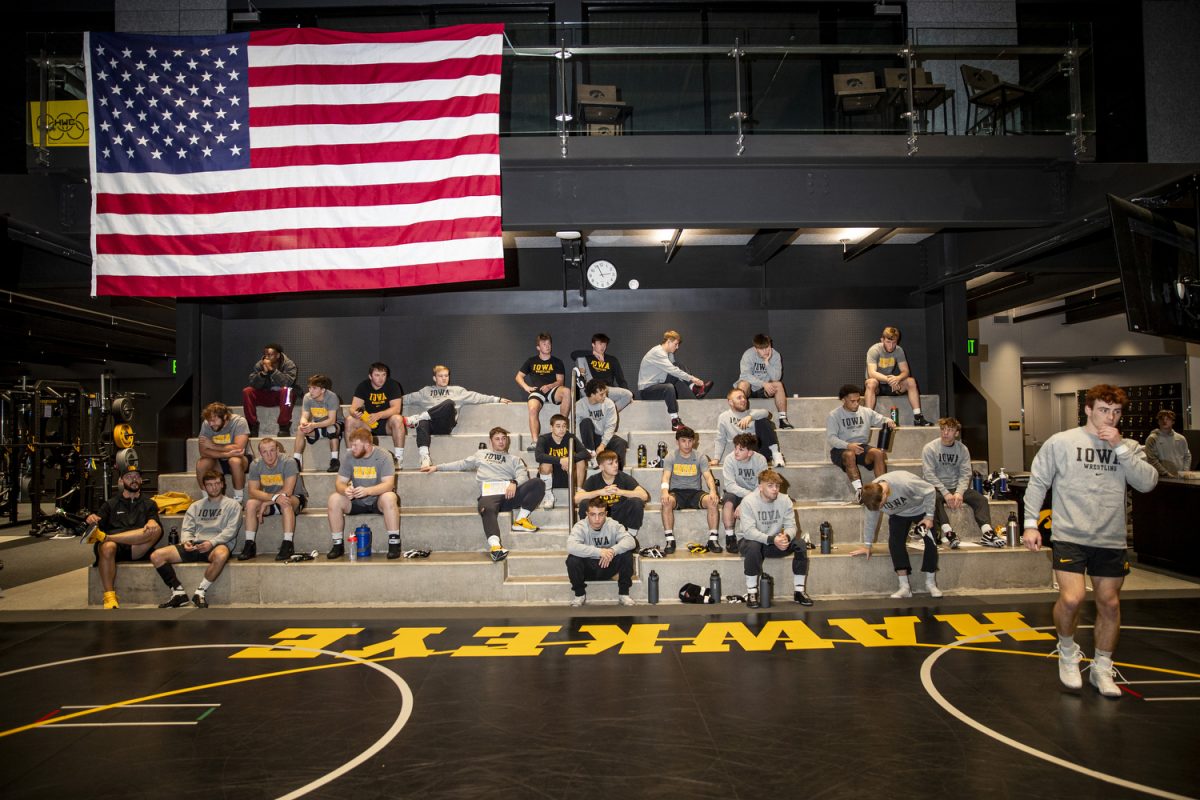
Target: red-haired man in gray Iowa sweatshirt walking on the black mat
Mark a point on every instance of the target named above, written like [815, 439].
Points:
[1089, 470]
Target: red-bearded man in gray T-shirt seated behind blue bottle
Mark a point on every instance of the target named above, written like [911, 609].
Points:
[365, 484]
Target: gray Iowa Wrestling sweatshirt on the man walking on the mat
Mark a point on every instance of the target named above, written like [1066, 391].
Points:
[1089, 478]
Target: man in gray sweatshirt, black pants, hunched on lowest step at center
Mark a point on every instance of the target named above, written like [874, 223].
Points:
[597, 550]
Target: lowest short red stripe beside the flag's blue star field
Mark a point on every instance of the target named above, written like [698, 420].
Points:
[374, 153]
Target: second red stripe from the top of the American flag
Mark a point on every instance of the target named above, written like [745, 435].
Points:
[323, 75]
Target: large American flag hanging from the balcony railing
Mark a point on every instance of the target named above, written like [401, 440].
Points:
[297, 160]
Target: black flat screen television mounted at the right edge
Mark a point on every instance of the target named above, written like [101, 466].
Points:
[1160, 278]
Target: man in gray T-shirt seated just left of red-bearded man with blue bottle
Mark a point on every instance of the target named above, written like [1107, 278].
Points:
[274, 488]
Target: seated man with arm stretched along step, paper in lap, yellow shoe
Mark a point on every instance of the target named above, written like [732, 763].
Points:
[505, 485]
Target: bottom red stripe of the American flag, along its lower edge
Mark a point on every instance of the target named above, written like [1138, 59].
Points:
[331, 280]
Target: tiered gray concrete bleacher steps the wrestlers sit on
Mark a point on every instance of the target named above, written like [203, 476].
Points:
[439, 514]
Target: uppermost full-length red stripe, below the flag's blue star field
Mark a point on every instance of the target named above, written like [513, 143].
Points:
[299, 197]
